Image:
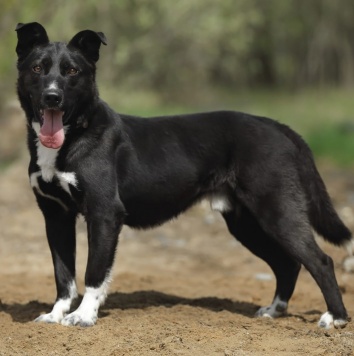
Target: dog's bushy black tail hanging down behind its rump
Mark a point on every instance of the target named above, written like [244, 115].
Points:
[323, 217]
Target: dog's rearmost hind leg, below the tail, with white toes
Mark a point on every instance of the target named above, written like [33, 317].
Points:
[283, 216]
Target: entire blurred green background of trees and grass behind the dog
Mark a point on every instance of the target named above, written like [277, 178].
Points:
[292, 60]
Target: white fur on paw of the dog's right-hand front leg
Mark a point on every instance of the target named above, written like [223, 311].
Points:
[86, 313]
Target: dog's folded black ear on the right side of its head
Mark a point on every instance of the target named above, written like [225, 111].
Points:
[88, 42]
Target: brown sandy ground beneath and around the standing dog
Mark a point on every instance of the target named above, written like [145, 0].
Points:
[187, 288]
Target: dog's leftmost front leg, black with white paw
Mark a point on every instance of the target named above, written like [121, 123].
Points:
[60, 228]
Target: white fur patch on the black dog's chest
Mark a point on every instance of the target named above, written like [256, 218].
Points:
[48, 172]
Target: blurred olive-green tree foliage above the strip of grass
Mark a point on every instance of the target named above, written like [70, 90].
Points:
[183, 47]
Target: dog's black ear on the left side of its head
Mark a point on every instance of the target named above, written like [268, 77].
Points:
[30, 35]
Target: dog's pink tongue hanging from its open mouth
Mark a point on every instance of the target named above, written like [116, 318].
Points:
[51, 133]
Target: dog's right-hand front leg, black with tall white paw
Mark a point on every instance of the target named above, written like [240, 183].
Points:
[103, 233]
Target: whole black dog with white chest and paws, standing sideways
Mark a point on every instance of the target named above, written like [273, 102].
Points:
[116, 169]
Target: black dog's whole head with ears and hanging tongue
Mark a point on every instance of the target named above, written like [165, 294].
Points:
[56, 82]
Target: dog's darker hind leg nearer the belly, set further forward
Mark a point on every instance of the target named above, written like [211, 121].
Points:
[246, 229]
